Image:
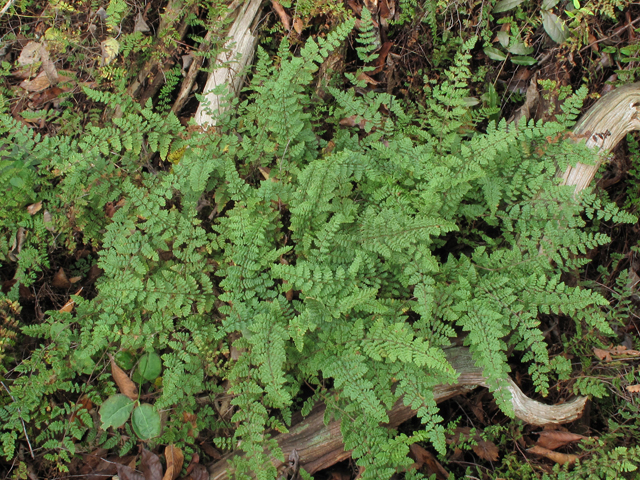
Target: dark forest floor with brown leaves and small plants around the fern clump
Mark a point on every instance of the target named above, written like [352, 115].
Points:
[51, 50]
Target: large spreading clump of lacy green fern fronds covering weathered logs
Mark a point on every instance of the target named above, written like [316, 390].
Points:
[334, 272]
